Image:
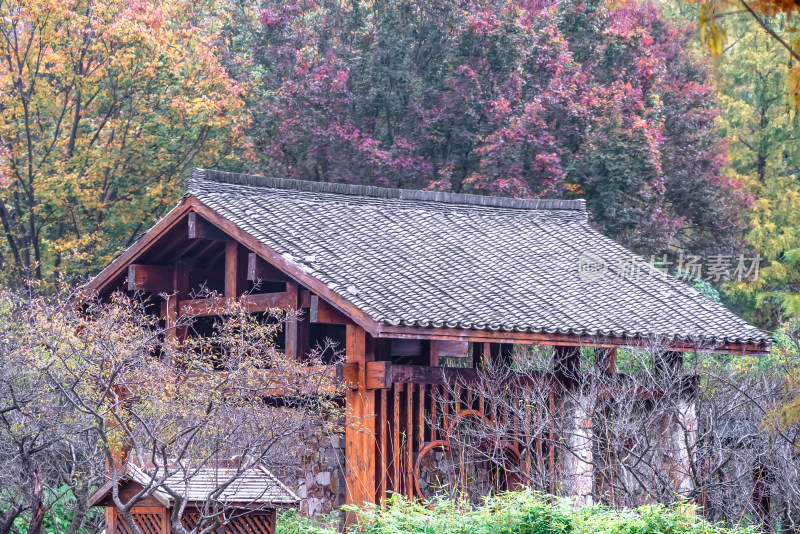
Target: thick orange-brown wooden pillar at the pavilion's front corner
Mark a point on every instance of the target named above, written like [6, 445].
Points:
[360, 446]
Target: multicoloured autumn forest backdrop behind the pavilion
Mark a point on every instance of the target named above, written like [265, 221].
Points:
[677, 122]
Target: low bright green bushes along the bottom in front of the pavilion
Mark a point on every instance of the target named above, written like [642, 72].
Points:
[523, 512]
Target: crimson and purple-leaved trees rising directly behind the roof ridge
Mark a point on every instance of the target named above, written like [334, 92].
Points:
[514, 98]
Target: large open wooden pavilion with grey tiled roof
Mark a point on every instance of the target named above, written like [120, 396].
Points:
[401, 278]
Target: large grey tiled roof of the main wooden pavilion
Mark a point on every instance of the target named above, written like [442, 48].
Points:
[474, 262]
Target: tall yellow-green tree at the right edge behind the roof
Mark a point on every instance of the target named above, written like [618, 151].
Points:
[763, 150]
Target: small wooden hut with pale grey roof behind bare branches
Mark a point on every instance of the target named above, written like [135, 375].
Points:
[248, 505]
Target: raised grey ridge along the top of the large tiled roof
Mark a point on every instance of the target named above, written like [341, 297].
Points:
[382, 192]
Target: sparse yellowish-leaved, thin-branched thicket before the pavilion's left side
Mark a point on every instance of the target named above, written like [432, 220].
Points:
[107, 385]
